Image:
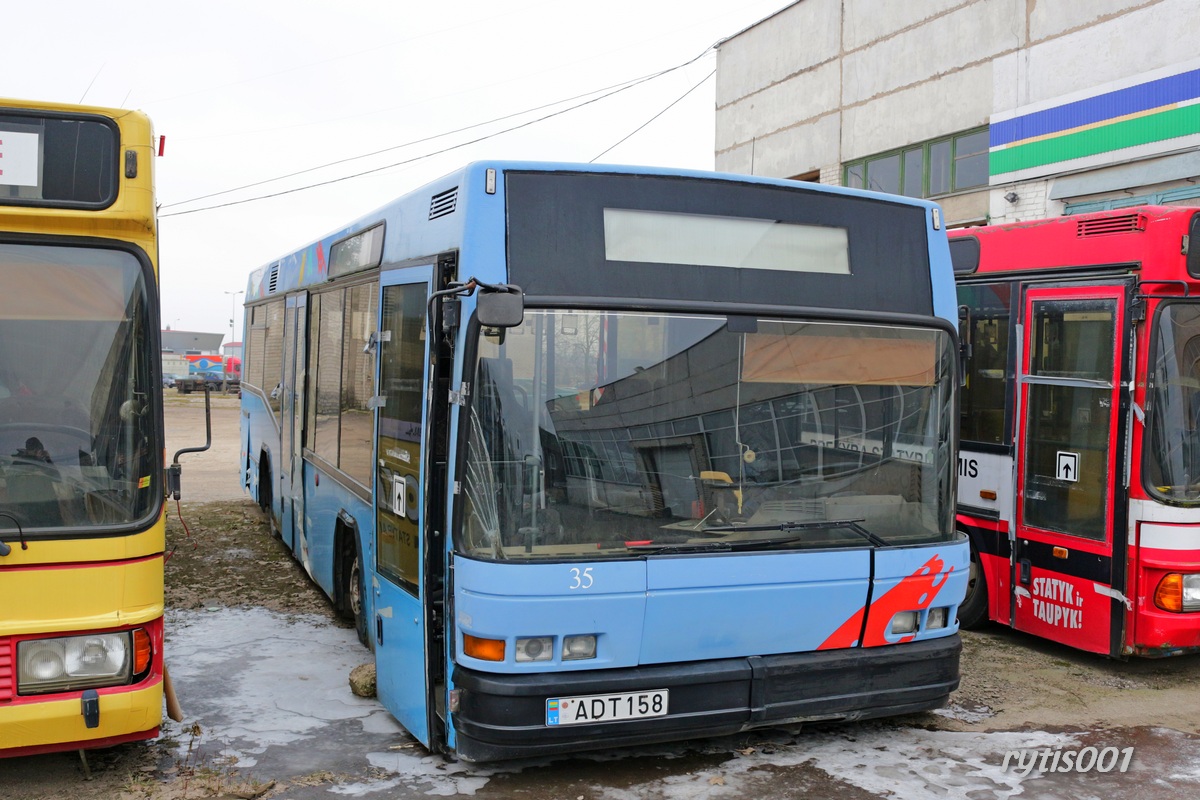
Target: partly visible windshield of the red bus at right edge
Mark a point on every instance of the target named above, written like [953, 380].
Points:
[1173, 405]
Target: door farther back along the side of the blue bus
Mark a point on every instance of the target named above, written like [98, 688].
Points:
[296, 323]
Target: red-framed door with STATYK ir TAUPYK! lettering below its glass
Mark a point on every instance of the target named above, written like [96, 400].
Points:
[1069, 555]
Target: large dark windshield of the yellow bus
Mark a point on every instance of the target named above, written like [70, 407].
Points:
[77, 435]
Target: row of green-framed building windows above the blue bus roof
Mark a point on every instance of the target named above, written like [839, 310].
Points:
[929, 170]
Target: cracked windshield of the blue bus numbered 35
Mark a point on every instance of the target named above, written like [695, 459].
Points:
[604, 435]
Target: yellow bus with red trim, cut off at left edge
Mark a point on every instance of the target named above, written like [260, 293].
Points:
[81, 431]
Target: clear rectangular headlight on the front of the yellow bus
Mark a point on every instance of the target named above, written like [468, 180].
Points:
[74, 663]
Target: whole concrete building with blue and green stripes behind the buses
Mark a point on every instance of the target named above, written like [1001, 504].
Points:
[998, 110]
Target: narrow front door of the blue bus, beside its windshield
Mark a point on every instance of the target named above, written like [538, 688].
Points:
[401, 673]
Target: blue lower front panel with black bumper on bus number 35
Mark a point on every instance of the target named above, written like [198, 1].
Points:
[729, 642]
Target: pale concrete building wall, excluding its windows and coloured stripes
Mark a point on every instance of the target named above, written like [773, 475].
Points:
[827, 82]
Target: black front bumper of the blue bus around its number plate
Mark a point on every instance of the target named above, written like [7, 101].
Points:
[505, 717]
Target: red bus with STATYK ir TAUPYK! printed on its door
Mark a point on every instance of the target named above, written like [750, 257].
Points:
[1079, 467]
